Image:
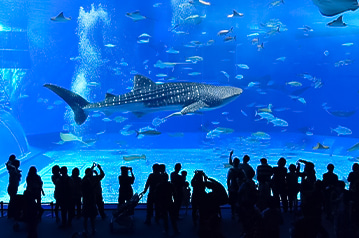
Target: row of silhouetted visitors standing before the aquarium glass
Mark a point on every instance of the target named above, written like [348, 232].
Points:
[257, 207]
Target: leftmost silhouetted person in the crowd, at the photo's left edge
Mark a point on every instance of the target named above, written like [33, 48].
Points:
[12, 166]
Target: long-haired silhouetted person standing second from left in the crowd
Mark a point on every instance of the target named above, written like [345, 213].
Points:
[34, 187]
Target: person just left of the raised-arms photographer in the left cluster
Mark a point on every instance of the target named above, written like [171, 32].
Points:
[89, 208]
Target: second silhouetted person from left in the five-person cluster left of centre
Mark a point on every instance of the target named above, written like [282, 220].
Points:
[65, 189]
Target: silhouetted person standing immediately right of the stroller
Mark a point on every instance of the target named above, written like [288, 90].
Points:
[152, 182]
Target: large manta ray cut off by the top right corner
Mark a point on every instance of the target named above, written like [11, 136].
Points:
[333, 7]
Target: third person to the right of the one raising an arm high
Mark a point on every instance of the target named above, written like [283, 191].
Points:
[279, 186]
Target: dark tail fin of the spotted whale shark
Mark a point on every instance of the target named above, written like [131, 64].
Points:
[75, 101]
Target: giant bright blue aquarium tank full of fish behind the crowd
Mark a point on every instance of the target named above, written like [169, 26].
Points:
[133, 83]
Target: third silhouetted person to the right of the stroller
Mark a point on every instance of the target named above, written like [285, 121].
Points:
[177, 181]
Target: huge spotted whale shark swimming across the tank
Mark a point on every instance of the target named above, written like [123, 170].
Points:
[147, 96]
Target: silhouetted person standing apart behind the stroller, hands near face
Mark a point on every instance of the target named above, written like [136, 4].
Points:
[125, 181]
